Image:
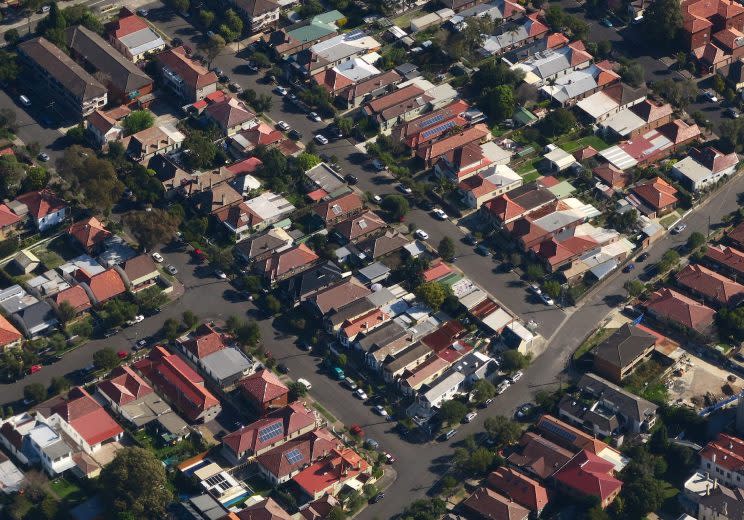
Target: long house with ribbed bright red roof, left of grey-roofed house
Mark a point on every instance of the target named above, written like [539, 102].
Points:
[180, 384]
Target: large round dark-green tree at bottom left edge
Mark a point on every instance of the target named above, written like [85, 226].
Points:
[135, 481]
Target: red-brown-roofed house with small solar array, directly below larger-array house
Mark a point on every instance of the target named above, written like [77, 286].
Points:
[282, 463]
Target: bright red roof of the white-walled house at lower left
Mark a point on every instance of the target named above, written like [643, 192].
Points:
[87, 417]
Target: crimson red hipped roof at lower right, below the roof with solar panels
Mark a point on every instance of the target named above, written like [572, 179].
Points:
[590, 475]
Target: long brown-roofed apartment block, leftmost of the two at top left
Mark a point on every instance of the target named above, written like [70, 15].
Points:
[64, 79]
